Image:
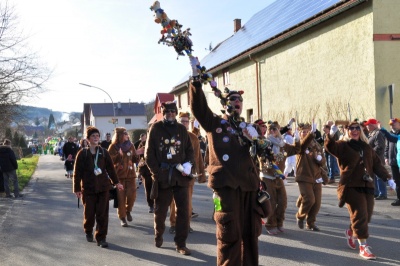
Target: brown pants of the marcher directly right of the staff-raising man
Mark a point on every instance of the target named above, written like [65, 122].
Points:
[276, 190]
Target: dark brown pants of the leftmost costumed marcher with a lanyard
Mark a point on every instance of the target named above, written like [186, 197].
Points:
[95, 208]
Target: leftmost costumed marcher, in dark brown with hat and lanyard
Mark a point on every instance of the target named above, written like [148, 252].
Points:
[91, 181]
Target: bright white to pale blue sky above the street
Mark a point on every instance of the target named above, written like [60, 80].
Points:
[113, 45]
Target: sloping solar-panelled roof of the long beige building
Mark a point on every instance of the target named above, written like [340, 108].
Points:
[274, 20]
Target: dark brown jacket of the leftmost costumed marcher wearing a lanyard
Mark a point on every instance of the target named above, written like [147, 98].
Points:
[84, 178]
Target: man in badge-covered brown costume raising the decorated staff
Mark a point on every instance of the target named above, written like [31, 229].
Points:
[233, 175]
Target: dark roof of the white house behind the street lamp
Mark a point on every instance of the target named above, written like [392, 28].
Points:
[127, 109]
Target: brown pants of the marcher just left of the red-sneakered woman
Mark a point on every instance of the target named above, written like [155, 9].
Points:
[310, 202]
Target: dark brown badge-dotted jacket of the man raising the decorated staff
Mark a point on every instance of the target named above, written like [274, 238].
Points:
[230, 163]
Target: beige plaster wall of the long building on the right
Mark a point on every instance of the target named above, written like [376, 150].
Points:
[323, 70]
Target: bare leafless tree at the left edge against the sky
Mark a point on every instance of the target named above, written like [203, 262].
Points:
[21, 74]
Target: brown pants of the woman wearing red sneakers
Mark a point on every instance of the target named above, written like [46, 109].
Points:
[360, 206]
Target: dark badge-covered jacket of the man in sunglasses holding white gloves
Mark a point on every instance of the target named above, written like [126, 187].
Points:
[161, 139]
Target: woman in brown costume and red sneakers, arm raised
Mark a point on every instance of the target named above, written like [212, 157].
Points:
[358, 164]
